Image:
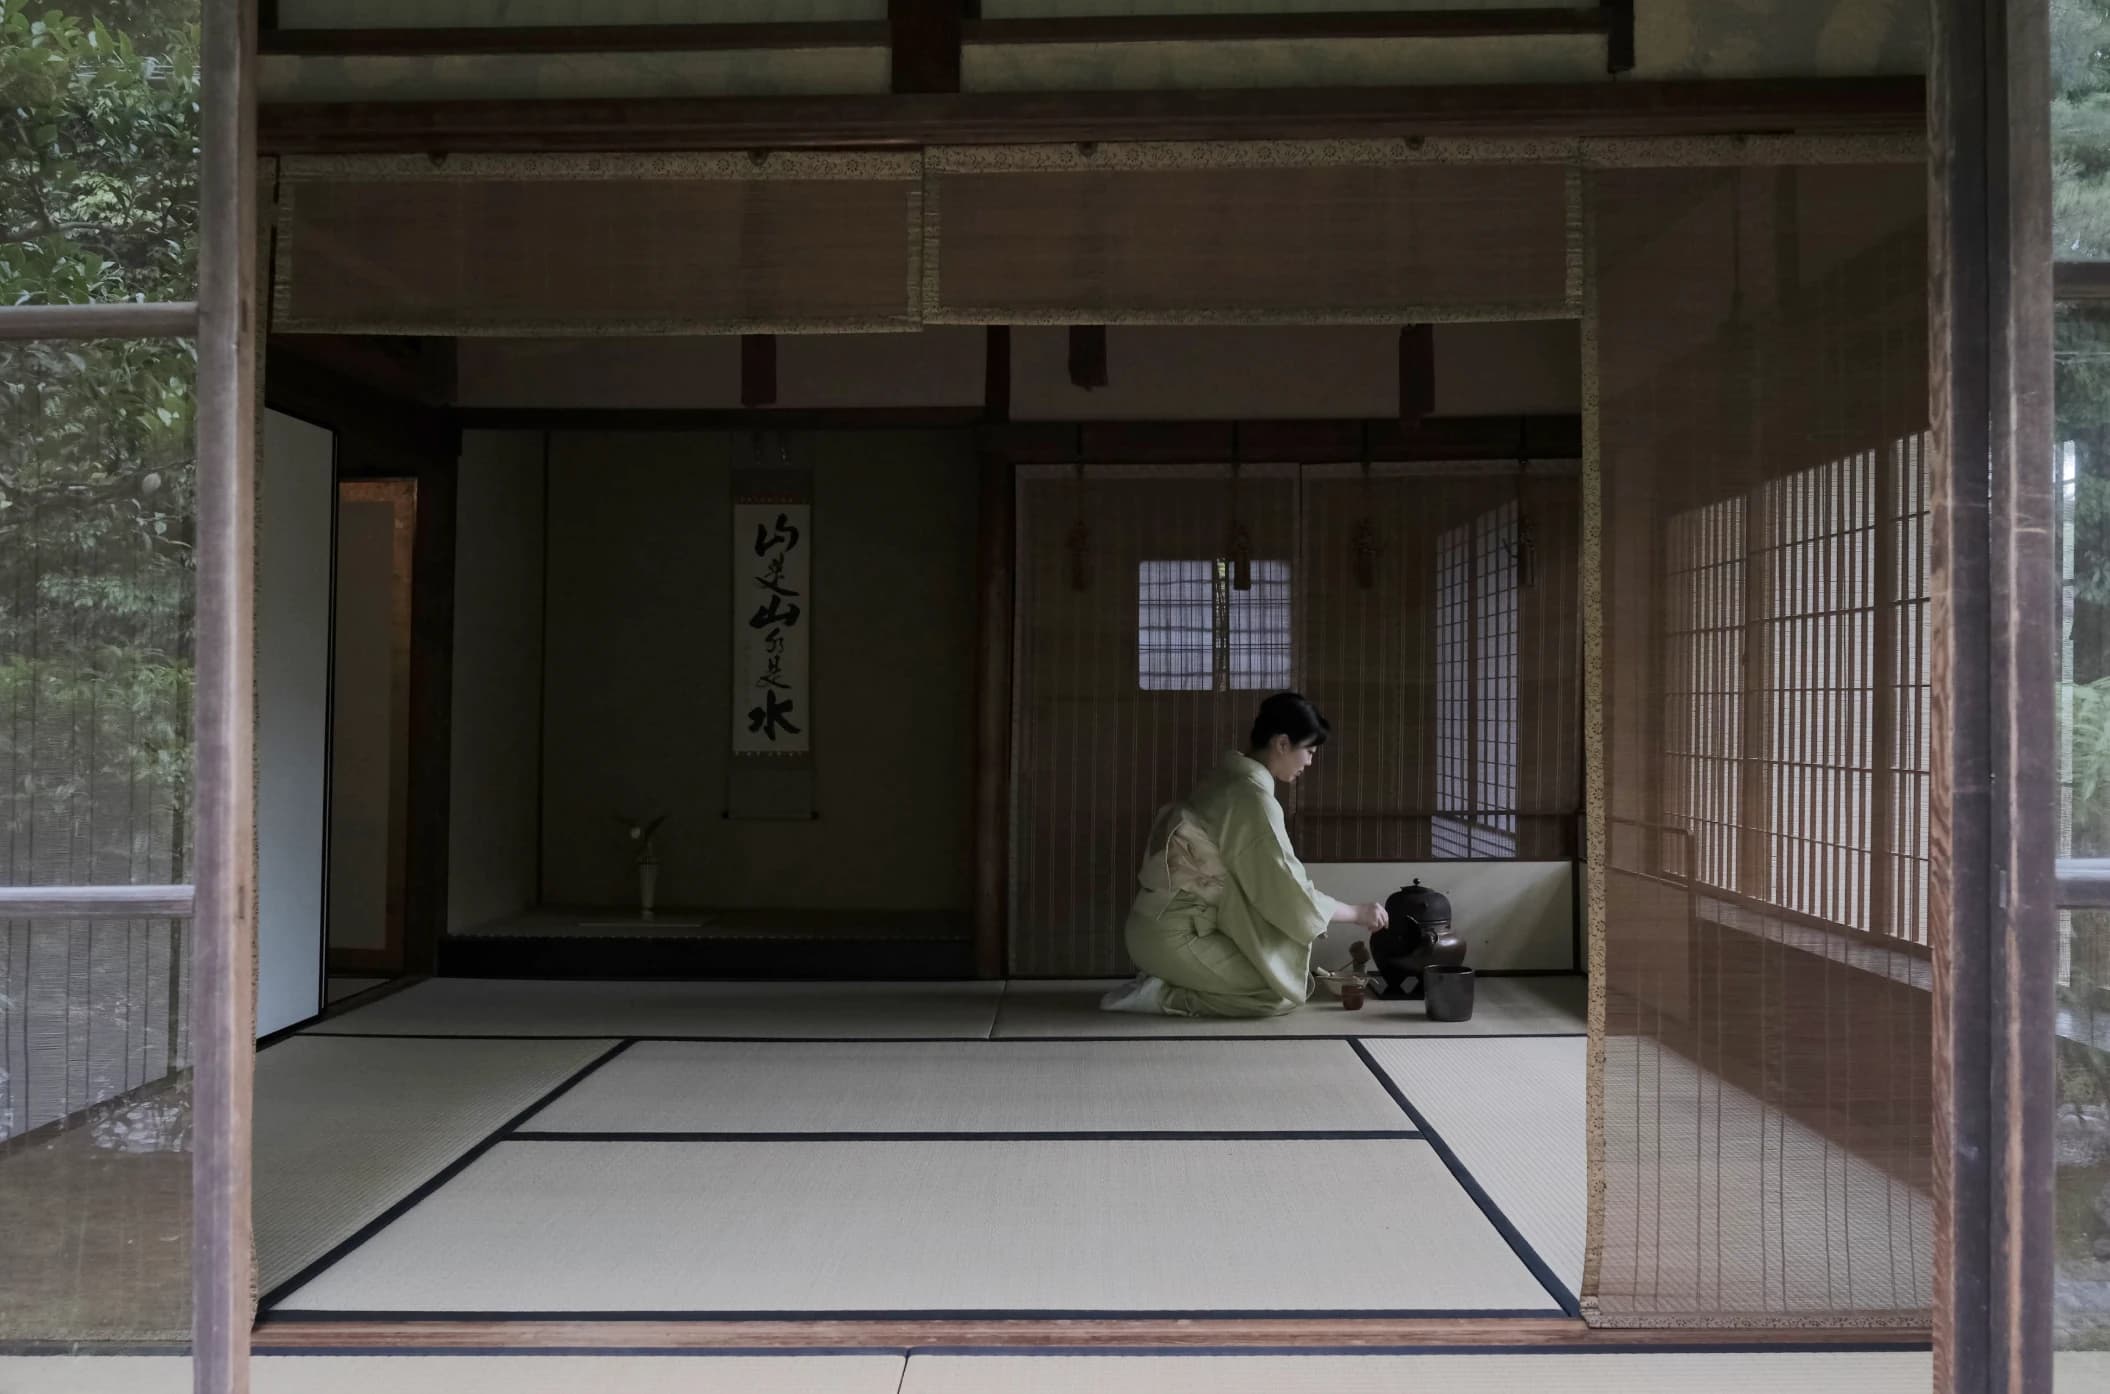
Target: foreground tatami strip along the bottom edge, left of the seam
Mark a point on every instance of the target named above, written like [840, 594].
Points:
[448, 1374]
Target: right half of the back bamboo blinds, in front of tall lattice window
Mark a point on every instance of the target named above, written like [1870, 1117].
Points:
[1442, 638]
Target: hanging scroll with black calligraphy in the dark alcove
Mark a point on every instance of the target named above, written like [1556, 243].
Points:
[771, 625]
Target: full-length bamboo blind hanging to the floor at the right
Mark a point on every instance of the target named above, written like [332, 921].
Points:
[1763, 398]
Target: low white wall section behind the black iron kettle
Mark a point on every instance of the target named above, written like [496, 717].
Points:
[1514, 916]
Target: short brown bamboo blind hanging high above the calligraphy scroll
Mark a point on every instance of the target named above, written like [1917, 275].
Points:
[526, 246]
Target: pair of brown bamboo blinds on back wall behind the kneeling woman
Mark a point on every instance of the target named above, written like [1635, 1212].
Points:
[1143, 661]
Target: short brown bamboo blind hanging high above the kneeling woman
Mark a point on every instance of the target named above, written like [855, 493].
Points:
[1231, 235]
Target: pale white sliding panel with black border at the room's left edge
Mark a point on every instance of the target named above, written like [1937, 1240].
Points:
[296, 484]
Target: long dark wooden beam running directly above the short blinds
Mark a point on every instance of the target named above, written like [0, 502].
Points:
[1809, 107]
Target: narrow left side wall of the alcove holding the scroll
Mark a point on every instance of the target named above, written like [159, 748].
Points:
[497, 760]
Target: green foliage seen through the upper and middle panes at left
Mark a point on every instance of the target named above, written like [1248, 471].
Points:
[98, 204]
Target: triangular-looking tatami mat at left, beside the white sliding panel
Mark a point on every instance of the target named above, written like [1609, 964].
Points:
[349, 1127]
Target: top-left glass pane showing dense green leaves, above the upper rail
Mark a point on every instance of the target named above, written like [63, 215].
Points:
[98, 151]
